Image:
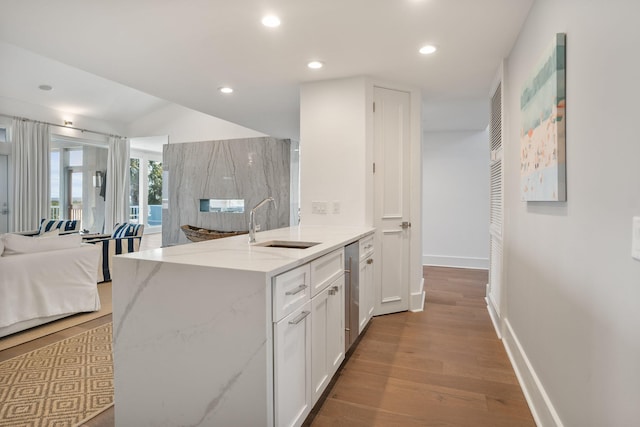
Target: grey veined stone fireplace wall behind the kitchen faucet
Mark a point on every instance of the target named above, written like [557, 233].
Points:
[251, 169]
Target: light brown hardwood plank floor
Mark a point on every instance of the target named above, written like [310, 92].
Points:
[440, 367]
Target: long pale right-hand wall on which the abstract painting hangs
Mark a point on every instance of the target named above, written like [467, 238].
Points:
[573, 290]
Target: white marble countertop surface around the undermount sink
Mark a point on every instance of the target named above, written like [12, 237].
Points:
[237, 254]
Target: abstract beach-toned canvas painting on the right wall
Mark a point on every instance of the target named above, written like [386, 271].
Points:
[542, 135]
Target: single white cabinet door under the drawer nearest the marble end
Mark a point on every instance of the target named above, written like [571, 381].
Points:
[292, 367]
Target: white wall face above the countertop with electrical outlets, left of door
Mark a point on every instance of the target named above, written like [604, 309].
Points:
[333, 151]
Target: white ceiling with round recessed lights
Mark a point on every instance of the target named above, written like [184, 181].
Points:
[183, 51]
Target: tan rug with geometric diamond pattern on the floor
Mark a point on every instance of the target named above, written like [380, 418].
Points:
[60, 385]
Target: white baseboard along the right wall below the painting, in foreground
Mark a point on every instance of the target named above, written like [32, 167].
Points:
[541, 407]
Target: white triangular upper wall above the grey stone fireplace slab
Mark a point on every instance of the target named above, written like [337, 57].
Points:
[185, 125]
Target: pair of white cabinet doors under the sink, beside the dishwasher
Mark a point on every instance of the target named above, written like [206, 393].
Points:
[327, 332]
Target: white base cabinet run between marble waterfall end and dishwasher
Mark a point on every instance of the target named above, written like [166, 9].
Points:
[308, 334]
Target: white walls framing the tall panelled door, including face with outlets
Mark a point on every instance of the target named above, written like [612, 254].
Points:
[336, 158]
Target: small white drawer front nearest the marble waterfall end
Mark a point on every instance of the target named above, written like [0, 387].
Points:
[290, 291]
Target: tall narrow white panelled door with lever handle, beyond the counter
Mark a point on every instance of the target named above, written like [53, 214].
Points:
[392, 201]
